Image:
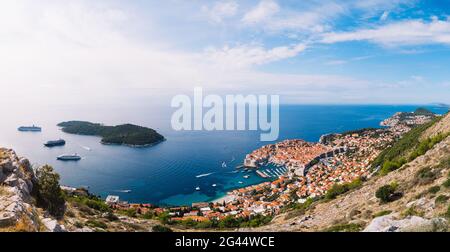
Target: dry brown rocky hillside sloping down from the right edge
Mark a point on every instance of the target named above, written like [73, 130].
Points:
[418, 198]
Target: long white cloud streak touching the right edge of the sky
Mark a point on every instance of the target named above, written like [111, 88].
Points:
[411, 32]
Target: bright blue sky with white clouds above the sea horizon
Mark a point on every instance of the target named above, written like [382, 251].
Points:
[374, 51]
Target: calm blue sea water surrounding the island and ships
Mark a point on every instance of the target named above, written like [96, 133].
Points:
[167, 173]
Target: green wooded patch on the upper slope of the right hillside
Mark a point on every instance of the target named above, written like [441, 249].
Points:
[407, 148]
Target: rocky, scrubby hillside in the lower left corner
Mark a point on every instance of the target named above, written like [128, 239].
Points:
[81, 212]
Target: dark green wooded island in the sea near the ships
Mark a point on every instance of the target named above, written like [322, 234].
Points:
[126, 134]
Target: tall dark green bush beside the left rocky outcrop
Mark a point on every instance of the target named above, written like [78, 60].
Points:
[48, 191]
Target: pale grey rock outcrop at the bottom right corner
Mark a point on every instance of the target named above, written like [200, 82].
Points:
[390, 223]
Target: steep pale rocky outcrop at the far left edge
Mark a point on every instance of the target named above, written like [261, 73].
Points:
[17, 208]
